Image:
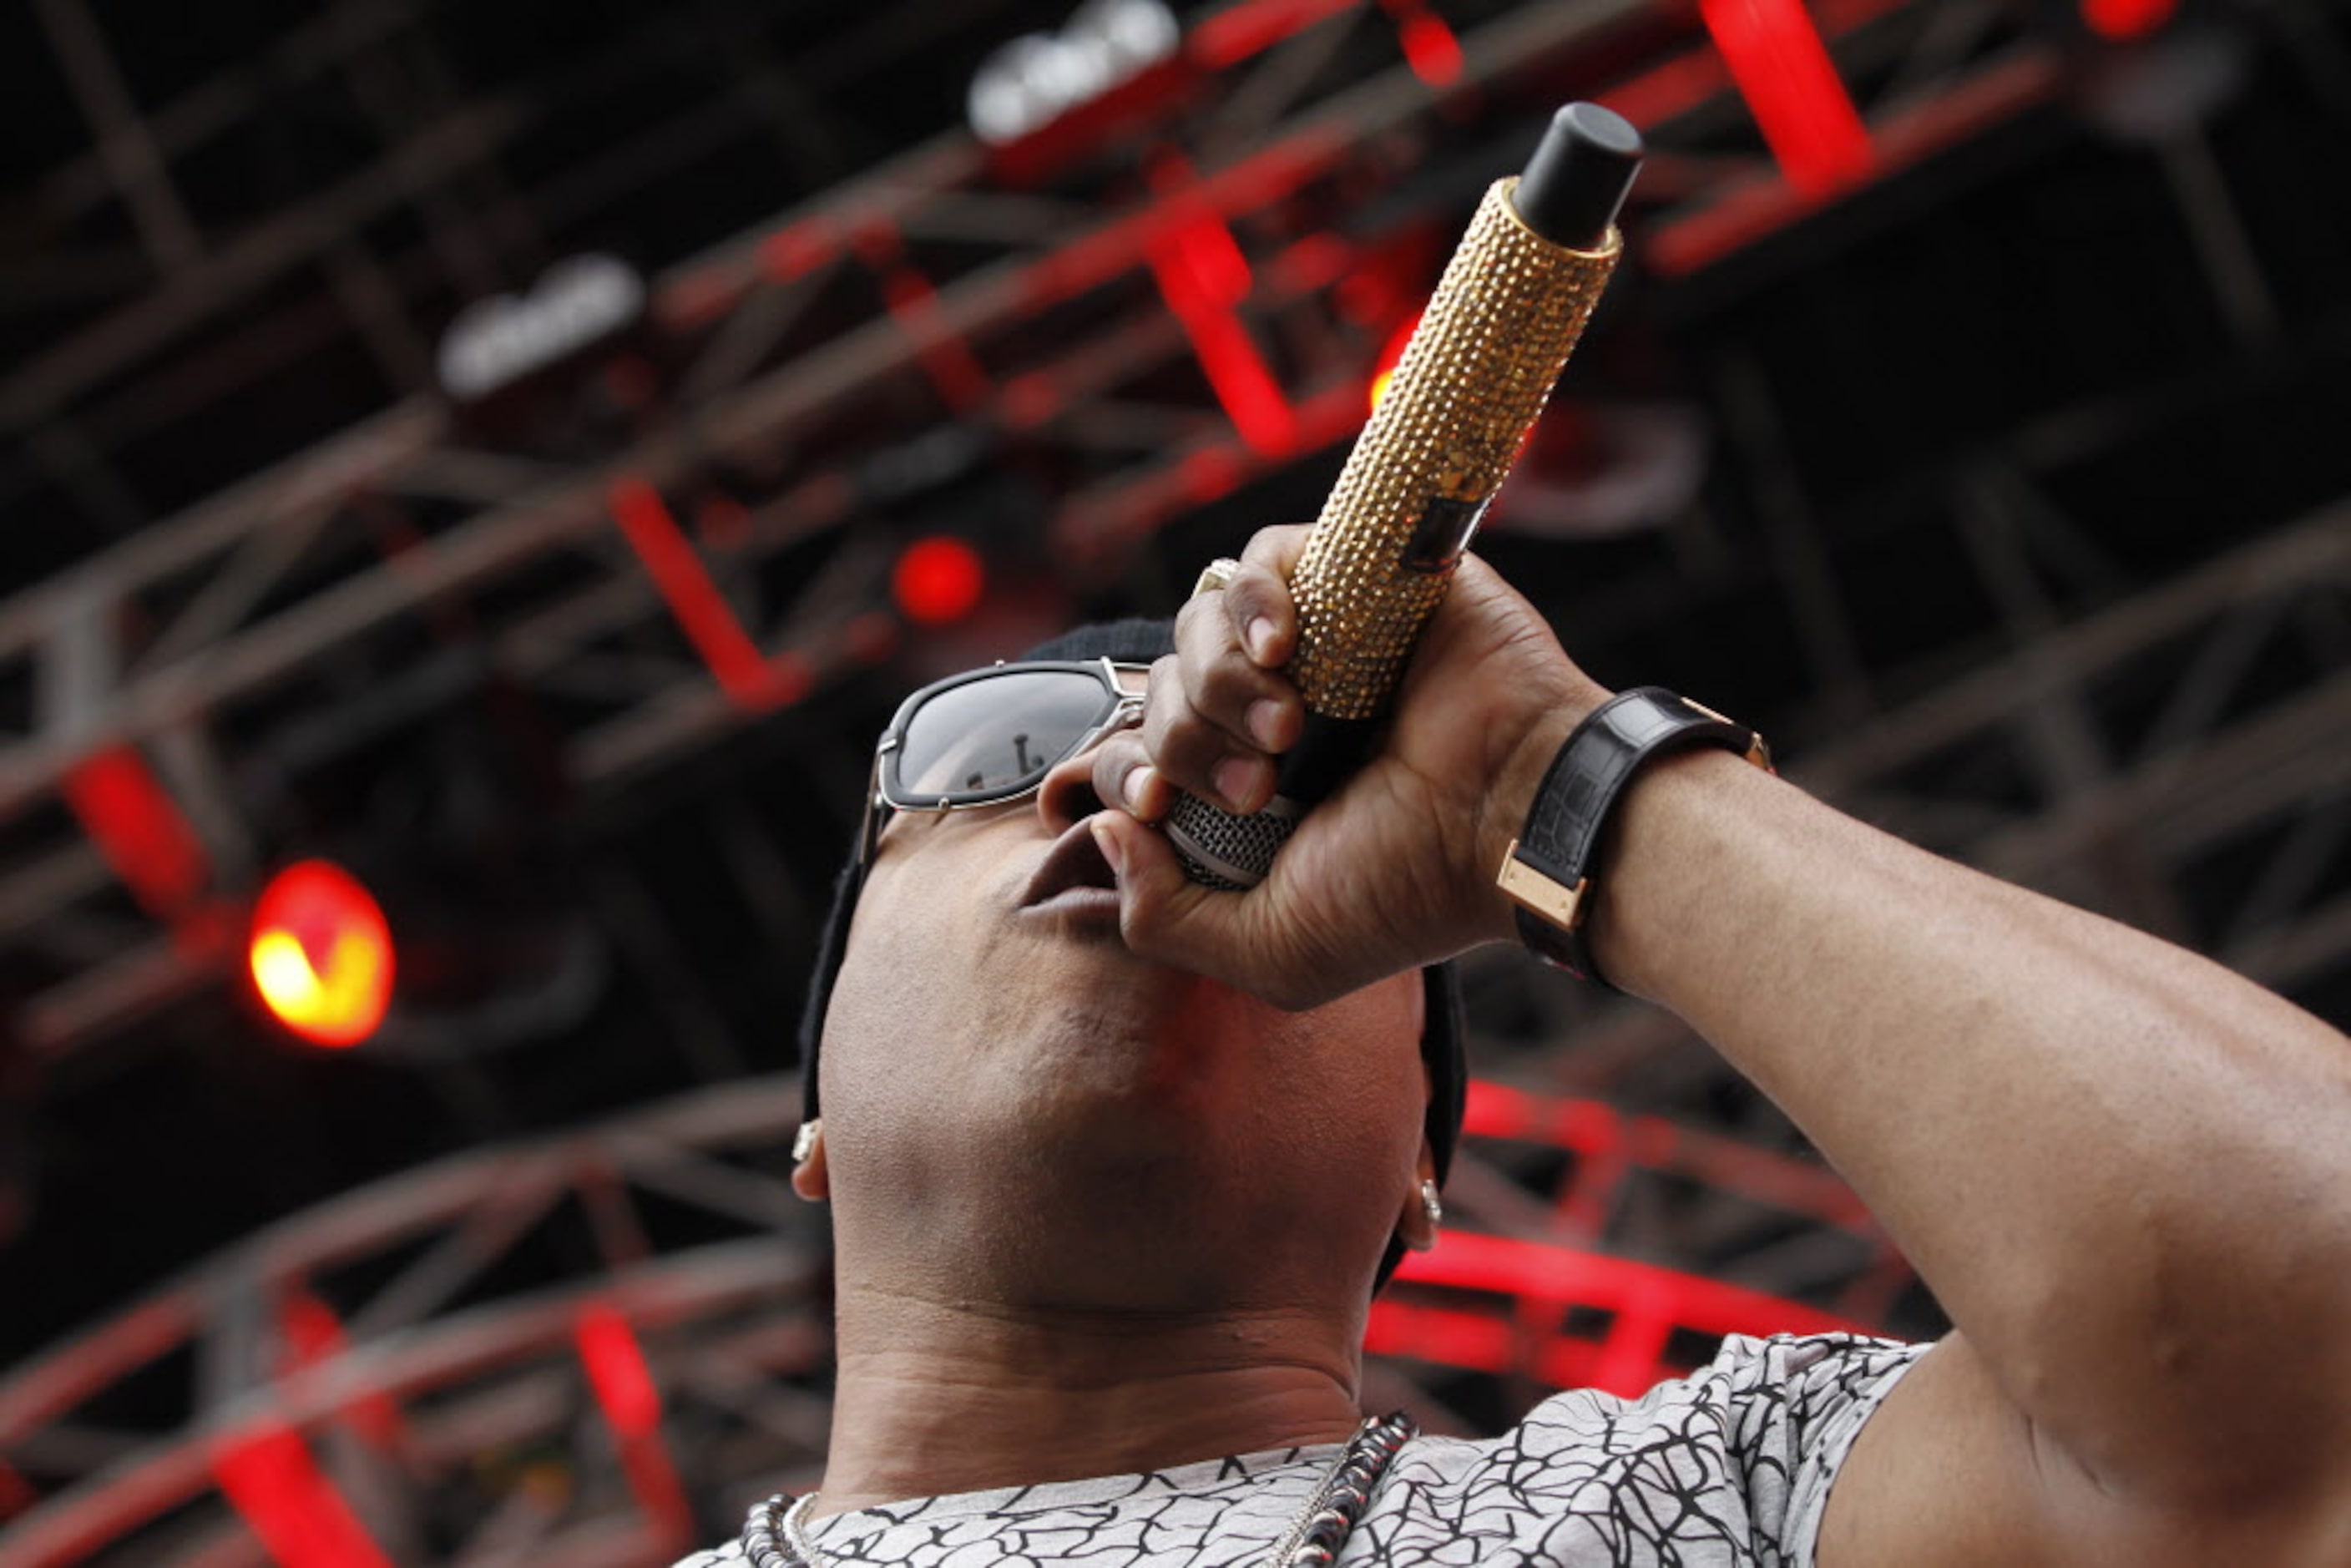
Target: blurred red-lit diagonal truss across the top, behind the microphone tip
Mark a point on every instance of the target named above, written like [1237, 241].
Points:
[638, 565]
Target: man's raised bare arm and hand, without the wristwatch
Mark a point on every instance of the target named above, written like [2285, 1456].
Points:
[2124, 1172]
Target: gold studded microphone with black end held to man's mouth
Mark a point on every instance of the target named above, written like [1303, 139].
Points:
[1416, 485]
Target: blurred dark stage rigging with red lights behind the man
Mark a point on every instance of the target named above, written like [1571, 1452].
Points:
[478, 478]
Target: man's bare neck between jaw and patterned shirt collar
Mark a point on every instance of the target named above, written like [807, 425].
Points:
[942, 1400]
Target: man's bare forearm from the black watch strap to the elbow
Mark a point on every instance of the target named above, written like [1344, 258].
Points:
[2124, 1170]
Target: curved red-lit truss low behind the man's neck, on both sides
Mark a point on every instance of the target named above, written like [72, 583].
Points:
[366, 1386]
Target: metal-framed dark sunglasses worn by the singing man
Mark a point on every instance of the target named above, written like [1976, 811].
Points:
[991, 737]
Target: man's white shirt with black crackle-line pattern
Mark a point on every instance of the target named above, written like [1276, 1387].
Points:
[1727, 1468]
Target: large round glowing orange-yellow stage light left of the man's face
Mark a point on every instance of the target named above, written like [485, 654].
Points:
[321, 953]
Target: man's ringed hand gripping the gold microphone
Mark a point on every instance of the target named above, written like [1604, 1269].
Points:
[1398, 866]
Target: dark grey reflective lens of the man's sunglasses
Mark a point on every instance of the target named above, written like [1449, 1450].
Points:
[996, 735]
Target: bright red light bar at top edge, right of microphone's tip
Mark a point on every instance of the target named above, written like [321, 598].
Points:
[1790, 83]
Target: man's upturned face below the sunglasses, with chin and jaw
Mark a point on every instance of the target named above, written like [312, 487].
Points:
[1019, 1104]
